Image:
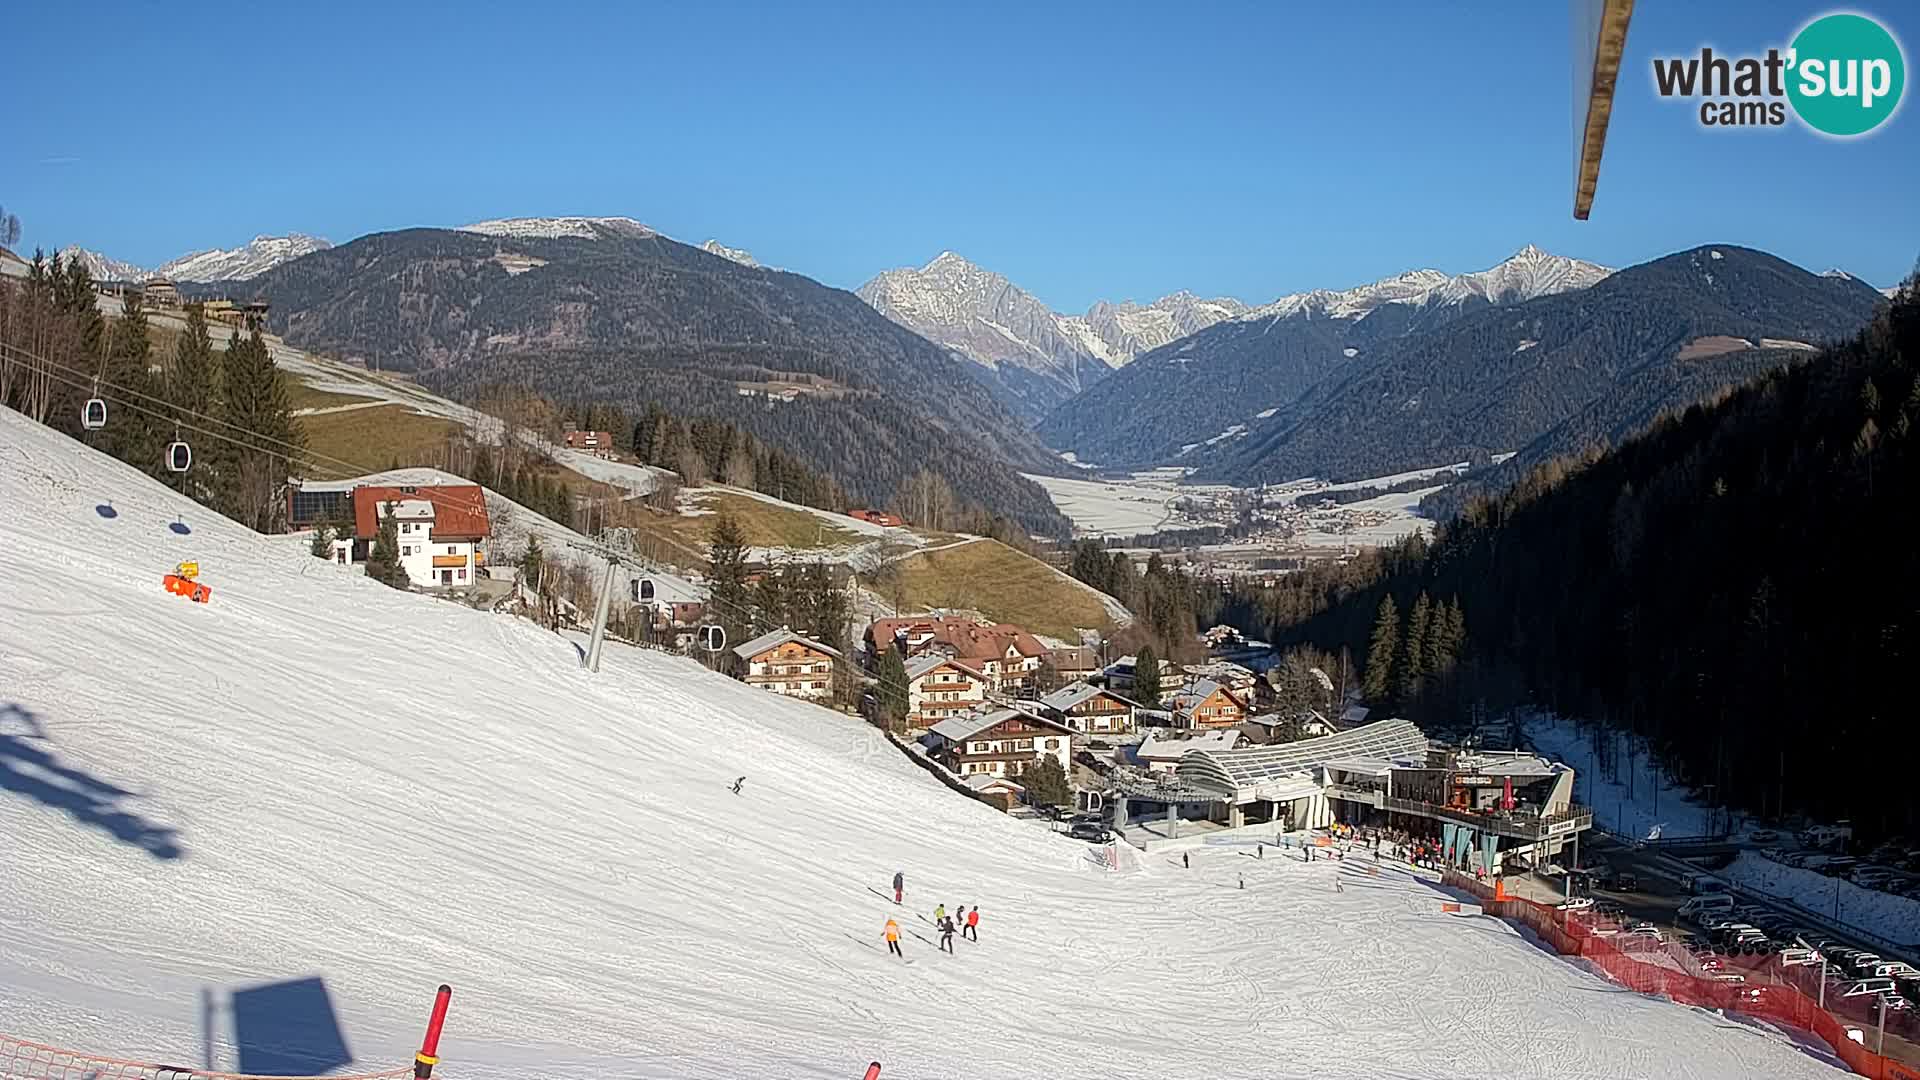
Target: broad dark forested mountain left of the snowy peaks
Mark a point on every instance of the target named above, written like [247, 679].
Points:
[621, 314]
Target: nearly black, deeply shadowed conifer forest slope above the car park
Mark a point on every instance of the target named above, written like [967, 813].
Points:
[1733, 585]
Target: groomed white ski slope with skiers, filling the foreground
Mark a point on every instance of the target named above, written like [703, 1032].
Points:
[316, 777]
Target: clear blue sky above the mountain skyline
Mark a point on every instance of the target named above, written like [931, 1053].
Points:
[1086, 151]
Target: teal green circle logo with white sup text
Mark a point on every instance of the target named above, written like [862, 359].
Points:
[1846, 76]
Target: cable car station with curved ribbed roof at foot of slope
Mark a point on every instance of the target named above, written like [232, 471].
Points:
[1387, 775]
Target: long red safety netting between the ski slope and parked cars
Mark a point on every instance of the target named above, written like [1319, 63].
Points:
[1769, 991]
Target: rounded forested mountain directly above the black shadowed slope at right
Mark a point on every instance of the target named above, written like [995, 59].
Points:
[1554, 372]
